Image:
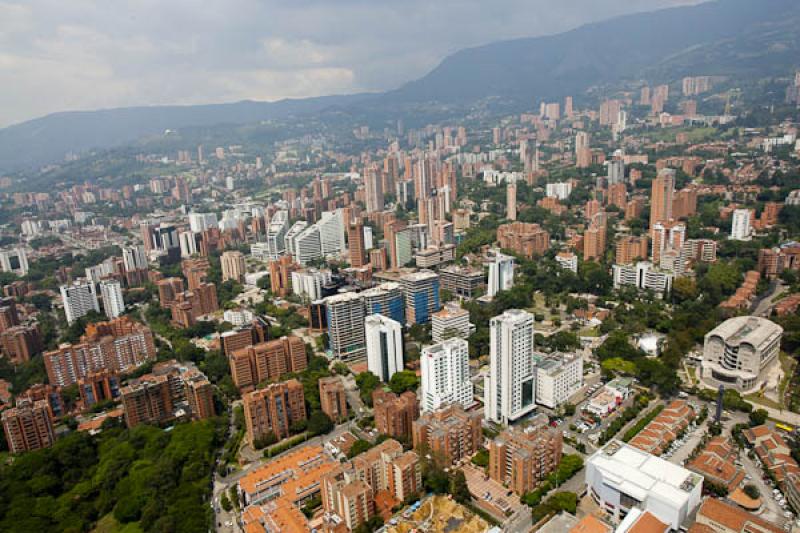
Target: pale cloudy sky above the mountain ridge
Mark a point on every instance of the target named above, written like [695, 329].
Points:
[58, 55]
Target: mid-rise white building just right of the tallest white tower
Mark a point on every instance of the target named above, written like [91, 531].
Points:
[558, 377]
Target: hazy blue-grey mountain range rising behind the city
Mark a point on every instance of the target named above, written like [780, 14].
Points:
[725, 37]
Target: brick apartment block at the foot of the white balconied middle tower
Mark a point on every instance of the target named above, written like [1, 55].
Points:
[450, 432]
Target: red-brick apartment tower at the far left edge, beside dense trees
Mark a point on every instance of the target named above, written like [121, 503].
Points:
[28, 426]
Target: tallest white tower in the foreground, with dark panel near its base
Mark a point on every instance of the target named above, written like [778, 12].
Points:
[510, 387]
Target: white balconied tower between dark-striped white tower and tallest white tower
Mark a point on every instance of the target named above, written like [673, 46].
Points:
[445, 375]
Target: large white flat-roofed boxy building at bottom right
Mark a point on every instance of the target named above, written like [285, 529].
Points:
[620, 478]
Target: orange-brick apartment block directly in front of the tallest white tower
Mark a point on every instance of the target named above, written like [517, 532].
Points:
[522, 459]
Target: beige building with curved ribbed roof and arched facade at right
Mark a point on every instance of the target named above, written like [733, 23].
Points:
[741, 353]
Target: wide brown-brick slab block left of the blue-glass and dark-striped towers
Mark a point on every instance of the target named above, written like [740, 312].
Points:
[267, 361]
